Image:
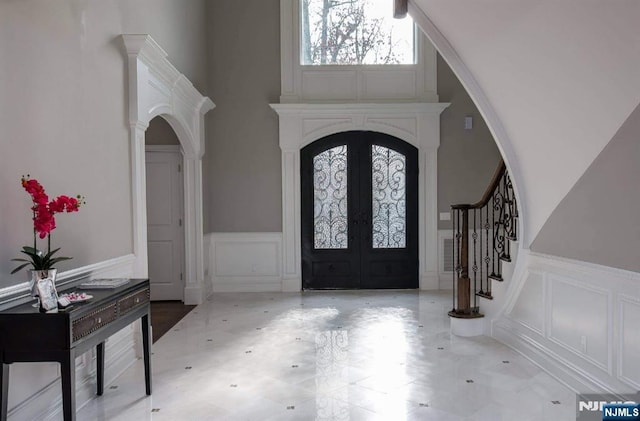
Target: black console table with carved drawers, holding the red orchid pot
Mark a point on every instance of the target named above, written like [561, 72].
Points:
[29, 336]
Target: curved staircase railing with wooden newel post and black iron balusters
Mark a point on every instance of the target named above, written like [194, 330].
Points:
[484, 234]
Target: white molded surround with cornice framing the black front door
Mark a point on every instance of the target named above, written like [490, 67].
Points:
[416, 123]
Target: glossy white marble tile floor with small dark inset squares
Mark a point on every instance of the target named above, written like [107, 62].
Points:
[338, 355]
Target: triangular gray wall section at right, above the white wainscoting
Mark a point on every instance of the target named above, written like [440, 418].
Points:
[598, 219]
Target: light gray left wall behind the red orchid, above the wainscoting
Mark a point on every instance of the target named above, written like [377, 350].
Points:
[64, 114]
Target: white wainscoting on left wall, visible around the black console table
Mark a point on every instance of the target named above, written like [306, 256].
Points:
[36, 391]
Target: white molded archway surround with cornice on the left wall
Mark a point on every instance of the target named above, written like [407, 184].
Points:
[157, 88]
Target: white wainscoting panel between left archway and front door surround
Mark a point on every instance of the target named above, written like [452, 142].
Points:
[245, 262]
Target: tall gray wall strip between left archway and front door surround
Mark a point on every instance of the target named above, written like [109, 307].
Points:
[242, 163]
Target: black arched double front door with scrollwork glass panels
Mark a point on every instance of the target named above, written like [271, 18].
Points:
[359, 204]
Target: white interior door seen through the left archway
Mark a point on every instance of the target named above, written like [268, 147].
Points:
[165, 238]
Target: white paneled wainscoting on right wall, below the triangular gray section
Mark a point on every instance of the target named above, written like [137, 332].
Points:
[579, 321]
